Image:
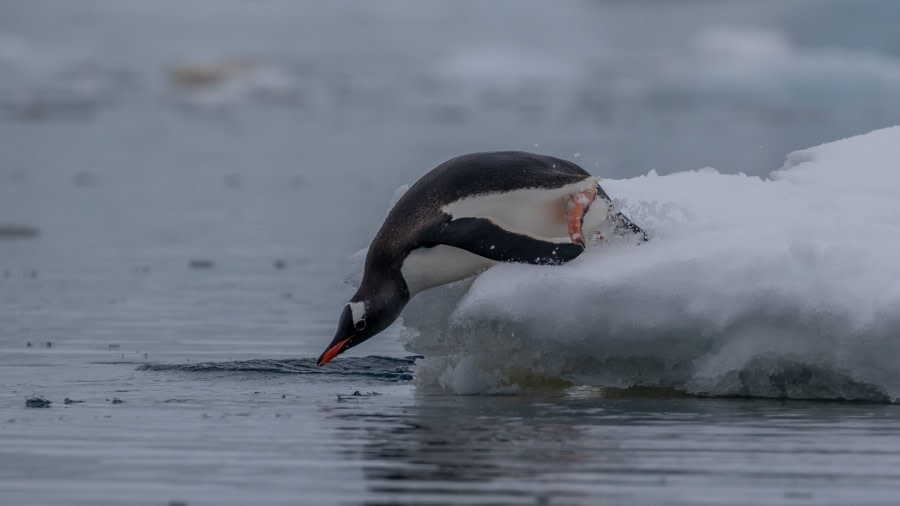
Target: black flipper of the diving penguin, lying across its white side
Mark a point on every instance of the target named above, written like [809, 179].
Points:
[485, 238]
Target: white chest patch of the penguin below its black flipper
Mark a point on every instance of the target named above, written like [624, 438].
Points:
[429, 267]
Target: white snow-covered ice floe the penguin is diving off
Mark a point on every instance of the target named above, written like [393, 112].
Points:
[780, 287]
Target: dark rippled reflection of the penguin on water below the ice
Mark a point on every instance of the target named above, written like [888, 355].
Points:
[461, 449]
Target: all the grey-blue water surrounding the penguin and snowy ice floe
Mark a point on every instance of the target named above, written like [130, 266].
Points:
[182, 182]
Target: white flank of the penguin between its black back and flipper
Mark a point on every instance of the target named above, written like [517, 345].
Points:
[539, 213]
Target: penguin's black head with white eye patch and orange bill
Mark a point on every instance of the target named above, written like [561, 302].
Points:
[362, 318]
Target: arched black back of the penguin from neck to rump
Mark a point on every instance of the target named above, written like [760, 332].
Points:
[420, 208]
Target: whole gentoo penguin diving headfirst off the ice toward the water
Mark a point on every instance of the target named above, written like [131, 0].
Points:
[465, 215]
